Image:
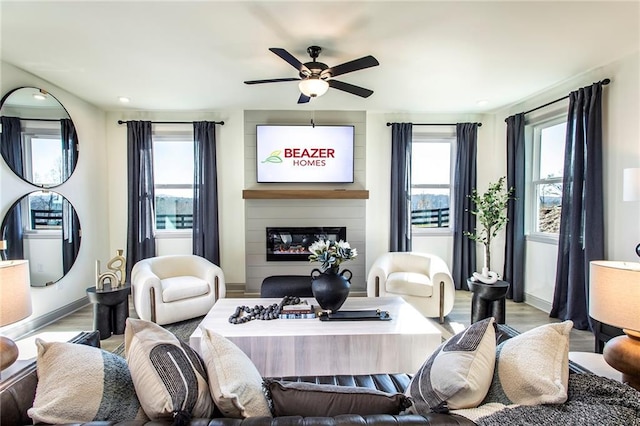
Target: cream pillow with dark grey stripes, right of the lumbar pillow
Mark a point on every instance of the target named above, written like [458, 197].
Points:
[458, 374]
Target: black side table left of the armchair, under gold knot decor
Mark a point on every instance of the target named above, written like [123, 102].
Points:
[110, 309]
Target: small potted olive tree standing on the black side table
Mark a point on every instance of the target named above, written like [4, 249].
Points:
[490, 210]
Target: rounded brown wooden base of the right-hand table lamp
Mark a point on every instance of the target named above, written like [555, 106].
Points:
[623, 354]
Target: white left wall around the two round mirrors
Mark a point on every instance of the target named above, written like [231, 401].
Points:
[86, 189]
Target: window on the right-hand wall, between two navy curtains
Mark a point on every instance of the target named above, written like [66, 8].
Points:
[546, 176]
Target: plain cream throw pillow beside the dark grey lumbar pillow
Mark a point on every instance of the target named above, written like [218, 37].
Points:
[234, 381]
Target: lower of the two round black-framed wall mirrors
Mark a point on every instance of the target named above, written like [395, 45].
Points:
[42, 227]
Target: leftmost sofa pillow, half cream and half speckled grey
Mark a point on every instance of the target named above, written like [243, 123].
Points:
[78, 383]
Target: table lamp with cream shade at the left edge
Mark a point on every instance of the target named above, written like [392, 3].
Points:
[15, 304]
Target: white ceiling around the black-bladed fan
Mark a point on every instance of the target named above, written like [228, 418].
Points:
[195, 55]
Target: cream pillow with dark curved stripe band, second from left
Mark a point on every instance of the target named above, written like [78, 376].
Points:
[169, 376]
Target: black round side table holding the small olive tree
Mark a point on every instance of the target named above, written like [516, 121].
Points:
[488, 300]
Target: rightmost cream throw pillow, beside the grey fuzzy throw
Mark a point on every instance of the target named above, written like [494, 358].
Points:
[533, 367]
